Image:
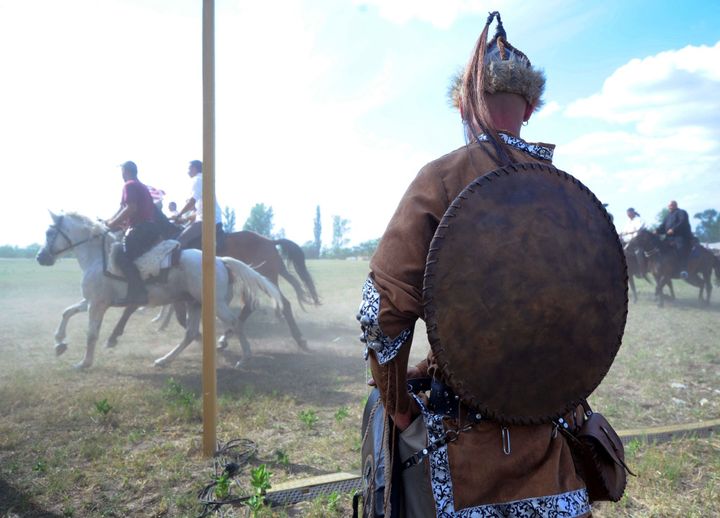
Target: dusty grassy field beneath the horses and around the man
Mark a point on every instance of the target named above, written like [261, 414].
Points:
[124, 438]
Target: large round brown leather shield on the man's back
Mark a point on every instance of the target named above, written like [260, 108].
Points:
[525, 294]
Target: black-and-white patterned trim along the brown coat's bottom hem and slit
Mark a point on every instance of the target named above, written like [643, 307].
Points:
[565, 505]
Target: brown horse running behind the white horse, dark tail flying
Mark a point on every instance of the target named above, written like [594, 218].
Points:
[261, 253]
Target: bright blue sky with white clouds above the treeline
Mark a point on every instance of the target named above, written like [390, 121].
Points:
[339, 103]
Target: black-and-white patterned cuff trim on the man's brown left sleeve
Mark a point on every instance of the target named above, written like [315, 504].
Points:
[385, 348]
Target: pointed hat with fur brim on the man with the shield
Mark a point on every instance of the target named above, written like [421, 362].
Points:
[507, 69]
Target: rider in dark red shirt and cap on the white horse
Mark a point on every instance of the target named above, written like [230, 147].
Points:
[137, 216]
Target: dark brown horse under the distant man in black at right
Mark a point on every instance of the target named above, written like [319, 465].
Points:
[664, 264]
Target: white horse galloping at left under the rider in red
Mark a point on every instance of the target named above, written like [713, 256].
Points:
[184, 283]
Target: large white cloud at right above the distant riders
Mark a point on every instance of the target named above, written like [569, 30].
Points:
[663, 140]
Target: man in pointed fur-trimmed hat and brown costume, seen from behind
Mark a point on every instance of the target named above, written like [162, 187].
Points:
[479, 472]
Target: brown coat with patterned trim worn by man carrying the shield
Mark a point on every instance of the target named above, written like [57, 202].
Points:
[539, 469]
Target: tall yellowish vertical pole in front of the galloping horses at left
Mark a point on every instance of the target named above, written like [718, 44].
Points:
[209, 380]
